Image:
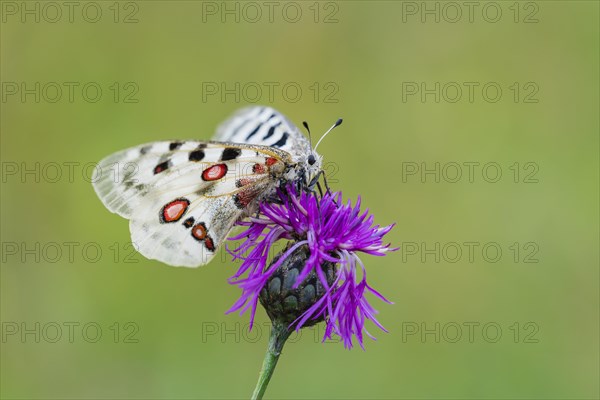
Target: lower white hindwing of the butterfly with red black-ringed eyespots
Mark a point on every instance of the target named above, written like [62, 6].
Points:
[189, 226]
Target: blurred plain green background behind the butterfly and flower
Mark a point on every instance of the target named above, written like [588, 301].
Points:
[351, 59]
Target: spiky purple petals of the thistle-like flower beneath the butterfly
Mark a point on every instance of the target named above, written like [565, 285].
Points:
[333, 233]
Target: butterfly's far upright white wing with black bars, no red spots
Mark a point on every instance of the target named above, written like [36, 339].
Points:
[267, 127]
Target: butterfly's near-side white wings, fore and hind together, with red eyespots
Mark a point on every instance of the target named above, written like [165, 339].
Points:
[182, 198]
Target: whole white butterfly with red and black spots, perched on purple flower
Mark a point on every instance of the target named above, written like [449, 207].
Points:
[183, 197]
